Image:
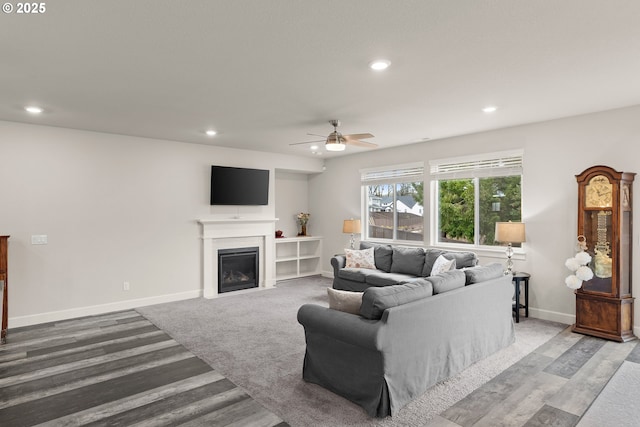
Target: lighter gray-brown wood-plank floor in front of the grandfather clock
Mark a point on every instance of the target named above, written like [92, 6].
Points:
[552, 386]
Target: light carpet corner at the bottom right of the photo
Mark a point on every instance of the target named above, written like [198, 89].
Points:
[617, 404]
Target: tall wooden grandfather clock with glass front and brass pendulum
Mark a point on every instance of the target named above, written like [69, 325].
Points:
[604, 305]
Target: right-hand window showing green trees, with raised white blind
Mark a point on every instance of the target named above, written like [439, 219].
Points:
[471, 194]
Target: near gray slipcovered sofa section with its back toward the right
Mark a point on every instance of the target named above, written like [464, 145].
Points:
[407, 336]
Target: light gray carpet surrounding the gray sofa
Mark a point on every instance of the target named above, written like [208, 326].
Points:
[254, 339]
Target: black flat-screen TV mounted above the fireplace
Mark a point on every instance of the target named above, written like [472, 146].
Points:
[239, 186]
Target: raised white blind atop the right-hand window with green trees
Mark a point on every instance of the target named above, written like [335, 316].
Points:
[506, 163]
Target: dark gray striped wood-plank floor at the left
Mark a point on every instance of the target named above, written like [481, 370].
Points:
[111, 370]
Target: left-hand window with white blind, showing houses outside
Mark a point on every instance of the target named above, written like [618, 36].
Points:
[394, 202]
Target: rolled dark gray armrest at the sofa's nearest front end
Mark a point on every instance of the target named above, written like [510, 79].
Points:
[337, 325]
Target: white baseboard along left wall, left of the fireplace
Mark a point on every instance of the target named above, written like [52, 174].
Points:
[54, 316]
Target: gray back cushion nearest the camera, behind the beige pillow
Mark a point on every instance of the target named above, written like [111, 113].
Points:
[376, 300]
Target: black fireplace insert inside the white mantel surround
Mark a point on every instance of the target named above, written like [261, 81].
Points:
[238, 269]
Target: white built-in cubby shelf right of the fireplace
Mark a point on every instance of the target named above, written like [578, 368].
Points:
[298, 257]
